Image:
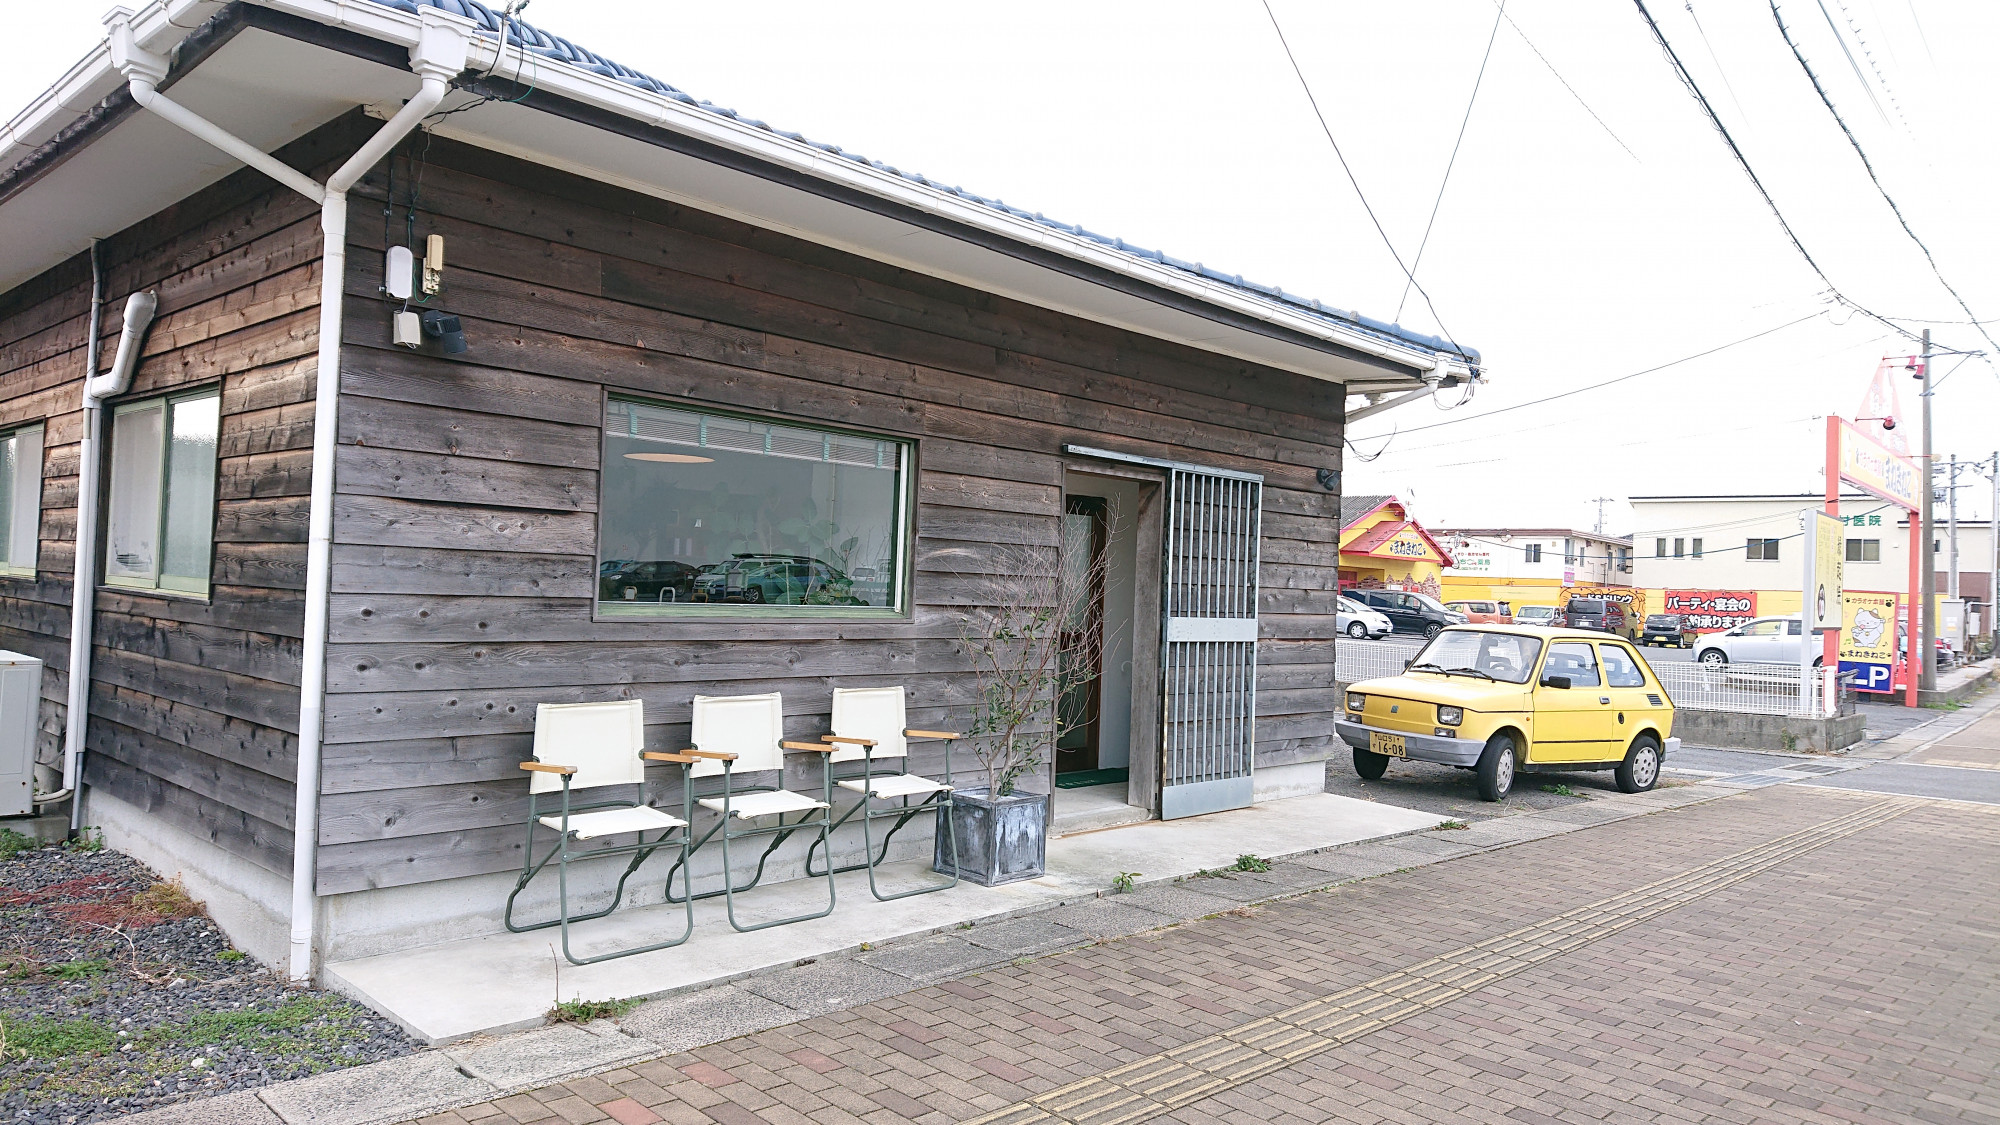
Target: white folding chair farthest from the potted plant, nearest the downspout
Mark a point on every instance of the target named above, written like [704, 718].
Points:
[597, 746]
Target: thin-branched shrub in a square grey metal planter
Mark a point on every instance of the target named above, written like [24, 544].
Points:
[1033, 640]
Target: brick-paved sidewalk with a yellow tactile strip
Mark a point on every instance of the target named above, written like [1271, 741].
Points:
[1851, 980]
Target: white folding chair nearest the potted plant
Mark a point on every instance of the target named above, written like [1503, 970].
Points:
[869, 728]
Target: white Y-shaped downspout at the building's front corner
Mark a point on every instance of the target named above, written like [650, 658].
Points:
[437, 55]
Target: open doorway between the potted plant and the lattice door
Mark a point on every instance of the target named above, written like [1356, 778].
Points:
[1107, 762]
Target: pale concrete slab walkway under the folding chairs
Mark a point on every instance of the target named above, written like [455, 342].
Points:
[509, 982]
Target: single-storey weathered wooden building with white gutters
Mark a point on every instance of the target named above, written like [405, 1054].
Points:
[733, 413]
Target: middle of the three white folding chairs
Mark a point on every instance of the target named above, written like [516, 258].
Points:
[739, 736]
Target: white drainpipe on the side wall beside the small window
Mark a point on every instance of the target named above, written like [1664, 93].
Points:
[83, 588]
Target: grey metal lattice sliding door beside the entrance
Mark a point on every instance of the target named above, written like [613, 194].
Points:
[1209, 662]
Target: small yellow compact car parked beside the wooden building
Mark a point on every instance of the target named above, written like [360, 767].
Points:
[1505, 700]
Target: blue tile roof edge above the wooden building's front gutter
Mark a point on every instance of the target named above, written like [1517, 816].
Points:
[565, 51]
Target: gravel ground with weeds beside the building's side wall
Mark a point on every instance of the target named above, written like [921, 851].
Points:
[119, 996]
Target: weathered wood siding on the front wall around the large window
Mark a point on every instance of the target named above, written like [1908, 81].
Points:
[465, 535]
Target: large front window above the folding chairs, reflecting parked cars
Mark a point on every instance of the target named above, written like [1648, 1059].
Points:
[709, 513]
